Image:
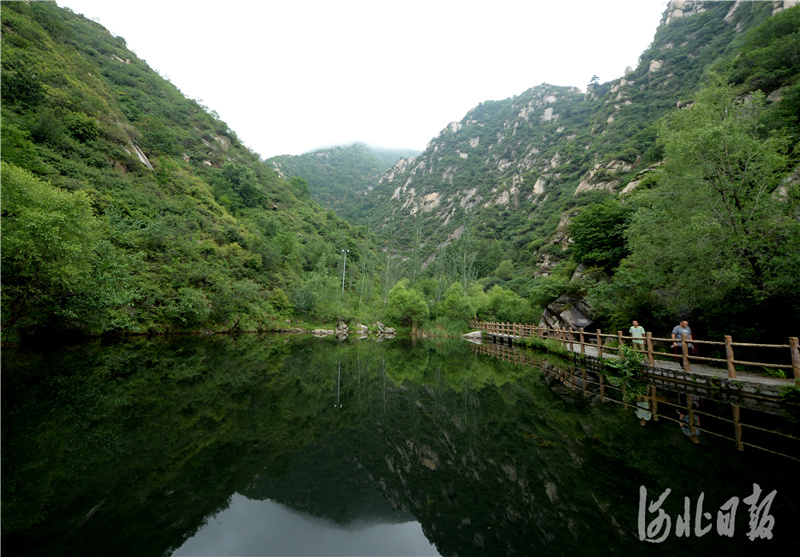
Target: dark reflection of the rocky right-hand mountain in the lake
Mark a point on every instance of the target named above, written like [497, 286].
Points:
[526, 465]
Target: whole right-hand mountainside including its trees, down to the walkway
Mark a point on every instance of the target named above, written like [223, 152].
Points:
[555, 180]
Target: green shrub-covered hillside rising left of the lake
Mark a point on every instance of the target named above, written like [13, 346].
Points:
[128, 208]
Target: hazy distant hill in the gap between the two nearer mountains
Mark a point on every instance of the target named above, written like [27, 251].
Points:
[336, 176]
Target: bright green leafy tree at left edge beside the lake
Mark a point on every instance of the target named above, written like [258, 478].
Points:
[57, 262]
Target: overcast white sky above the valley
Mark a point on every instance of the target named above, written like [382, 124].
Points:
[292, 76]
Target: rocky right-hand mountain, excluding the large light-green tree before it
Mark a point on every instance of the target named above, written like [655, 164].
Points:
[512, 176]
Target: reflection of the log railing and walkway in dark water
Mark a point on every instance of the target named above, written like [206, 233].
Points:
[748, 420]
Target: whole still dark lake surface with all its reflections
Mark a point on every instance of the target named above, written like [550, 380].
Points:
[274, 445]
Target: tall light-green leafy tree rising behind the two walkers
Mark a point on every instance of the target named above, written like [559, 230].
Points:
[723, 224]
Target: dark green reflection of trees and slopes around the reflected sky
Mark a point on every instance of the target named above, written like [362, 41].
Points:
[486, 455]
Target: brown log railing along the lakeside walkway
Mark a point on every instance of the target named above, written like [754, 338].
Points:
[579, 341]
